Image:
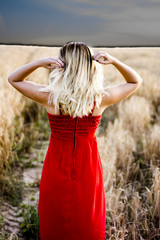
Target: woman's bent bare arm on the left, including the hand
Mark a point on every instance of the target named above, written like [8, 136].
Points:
[28, 88]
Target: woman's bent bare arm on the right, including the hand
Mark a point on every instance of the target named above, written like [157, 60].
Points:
[123, 90]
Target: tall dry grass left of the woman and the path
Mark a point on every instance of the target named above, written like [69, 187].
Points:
[18, 117]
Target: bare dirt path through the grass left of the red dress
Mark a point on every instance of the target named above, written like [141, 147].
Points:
[31, 178]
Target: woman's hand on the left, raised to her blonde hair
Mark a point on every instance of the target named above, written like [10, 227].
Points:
[50, 62]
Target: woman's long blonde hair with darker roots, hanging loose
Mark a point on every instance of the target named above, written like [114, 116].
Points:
[76, 86]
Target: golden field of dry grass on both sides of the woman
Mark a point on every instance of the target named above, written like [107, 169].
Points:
[128, 137]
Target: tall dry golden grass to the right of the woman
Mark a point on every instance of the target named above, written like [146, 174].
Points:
[130, 153]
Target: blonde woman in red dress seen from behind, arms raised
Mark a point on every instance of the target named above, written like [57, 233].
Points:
[71, 197]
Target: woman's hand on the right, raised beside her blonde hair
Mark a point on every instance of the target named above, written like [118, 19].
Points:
[103, 57]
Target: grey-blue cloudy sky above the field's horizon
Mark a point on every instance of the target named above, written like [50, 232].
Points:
[94, 22]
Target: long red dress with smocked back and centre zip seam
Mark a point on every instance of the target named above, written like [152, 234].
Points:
[72, 202]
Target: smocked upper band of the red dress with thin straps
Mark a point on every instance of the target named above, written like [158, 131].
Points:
[66, 123]
